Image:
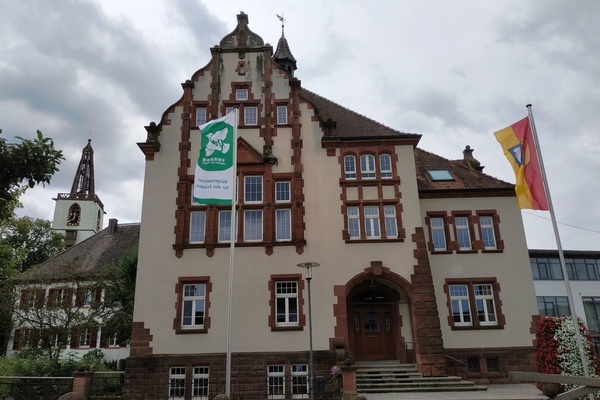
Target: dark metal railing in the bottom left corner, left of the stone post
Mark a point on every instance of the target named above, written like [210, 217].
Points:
[34, 388]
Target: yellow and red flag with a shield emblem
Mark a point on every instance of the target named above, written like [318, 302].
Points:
[519, 148]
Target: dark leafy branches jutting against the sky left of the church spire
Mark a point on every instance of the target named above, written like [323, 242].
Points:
[31, 161]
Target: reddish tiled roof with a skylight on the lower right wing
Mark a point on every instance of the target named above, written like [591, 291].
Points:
[465, 178]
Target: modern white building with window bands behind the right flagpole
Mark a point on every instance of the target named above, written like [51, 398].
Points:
[583, 273]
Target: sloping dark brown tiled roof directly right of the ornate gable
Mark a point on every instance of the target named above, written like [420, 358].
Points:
[349, 124]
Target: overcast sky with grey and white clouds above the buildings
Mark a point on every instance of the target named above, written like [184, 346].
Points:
[454, 72]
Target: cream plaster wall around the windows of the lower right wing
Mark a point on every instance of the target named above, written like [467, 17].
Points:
[510, 267]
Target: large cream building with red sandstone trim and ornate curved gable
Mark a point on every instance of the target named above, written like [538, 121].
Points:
[422, 259]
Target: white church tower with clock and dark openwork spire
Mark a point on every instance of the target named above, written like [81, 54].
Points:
[79, 214]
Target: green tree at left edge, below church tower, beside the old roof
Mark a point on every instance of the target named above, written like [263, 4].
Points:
[26, 242]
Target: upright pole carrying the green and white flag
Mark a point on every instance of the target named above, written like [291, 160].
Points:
[232, 238]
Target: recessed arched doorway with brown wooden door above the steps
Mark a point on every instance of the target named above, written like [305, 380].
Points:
[375, 322]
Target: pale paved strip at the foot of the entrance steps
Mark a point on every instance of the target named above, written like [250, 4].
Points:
[518, 391]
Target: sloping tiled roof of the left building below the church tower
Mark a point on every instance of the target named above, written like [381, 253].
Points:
[88, 257]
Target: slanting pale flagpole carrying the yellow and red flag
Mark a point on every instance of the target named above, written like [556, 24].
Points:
[561, 255]
